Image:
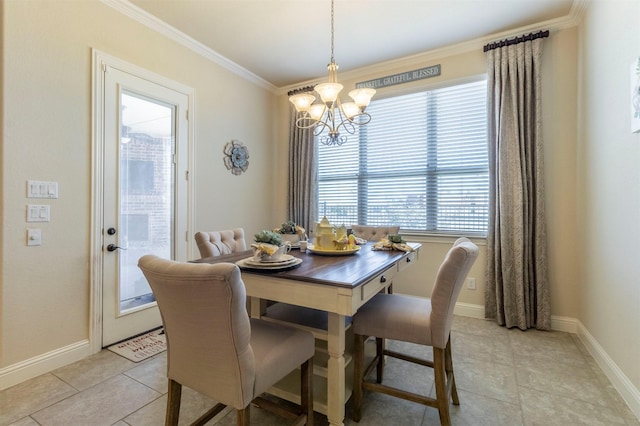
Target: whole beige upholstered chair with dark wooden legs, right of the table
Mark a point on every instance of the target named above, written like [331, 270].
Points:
[416, 320]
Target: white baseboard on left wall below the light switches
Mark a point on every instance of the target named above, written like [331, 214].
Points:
[34, 367]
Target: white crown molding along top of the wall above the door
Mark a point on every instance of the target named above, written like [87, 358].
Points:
[134, 12]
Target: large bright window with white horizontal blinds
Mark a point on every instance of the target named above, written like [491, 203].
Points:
[420, 163]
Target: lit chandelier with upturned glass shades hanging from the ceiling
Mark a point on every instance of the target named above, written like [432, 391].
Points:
[331, 113]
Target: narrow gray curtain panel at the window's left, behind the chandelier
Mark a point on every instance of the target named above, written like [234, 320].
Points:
[302, 175]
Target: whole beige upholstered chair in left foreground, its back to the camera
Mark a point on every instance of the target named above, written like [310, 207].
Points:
[214, 348]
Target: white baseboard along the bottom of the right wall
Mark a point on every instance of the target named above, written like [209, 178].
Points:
[623, 385]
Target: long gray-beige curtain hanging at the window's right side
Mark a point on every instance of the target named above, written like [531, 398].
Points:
[517, 290]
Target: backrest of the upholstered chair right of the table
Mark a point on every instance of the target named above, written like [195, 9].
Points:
[449, 281]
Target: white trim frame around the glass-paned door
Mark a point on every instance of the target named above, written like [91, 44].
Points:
[100, 61]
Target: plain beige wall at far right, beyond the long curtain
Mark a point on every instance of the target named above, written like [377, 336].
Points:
[608, 170]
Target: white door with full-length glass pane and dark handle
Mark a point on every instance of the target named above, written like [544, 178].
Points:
[145, 160]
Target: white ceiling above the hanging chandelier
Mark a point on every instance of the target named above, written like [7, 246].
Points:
[287, 42]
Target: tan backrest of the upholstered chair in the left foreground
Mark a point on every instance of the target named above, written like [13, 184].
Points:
[207, 327]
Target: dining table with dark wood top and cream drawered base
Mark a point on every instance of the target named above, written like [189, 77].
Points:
[320, 292]
